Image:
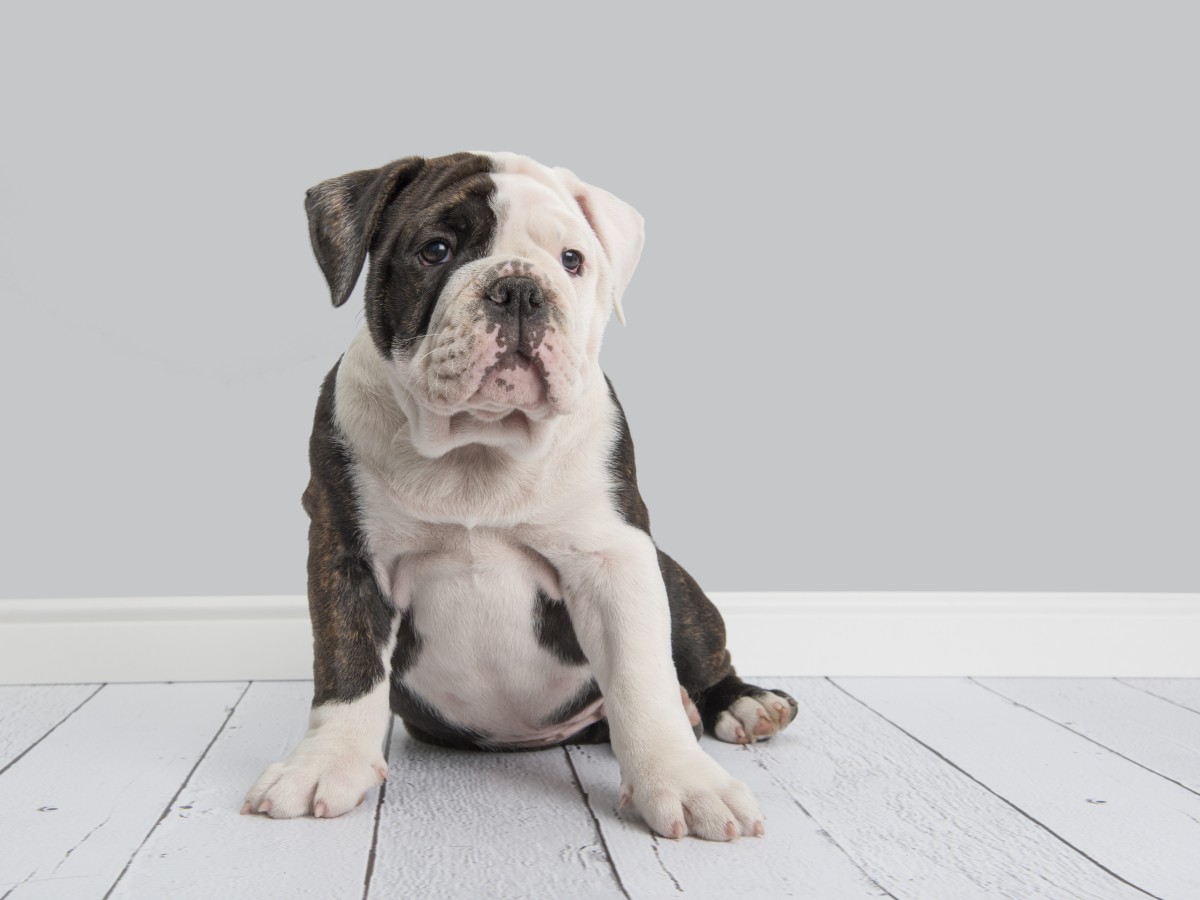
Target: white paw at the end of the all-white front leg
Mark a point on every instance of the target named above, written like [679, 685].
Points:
[693, 795]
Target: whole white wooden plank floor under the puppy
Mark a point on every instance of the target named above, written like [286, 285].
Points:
[896, 788]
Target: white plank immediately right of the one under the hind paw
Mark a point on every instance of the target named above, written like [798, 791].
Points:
[1137, 825]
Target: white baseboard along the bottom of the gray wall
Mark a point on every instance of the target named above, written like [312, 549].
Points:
[770, 634]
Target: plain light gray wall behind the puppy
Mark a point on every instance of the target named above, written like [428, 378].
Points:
[919, 308]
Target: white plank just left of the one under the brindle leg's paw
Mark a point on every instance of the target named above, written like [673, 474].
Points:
[76, 808]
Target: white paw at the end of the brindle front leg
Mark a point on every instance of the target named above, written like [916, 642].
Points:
[315, 783]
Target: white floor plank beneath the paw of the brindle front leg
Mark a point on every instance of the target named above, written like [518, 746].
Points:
[205, 849]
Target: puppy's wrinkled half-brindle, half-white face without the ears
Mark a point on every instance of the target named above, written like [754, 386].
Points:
[499, 295]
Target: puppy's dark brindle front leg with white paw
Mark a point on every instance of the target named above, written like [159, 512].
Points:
[355, 632]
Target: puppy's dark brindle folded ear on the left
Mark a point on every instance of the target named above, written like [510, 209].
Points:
[344, 214]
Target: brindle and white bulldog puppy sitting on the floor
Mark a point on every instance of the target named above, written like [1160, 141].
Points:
[481, 560]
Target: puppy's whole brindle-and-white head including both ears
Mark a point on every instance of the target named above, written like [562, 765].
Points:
[491, 279]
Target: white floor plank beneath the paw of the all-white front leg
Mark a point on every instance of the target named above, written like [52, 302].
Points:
[795, 859]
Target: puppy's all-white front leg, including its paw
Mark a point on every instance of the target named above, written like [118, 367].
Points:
[619, 607]
